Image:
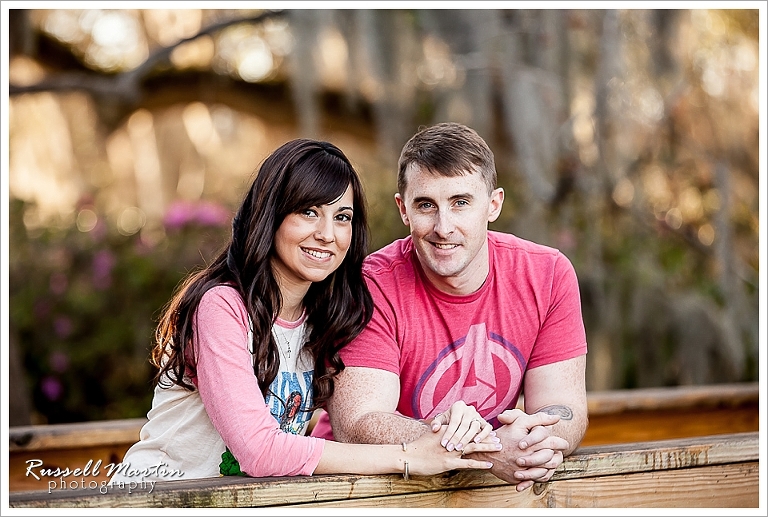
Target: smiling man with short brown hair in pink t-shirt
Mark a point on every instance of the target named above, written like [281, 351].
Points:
[464, 313]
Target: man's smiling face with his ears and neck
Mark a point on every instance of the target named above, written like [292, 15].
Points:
[449, 217]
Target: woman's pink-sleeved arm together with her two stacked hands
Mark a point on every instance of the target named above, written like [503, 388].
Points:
[230, 393]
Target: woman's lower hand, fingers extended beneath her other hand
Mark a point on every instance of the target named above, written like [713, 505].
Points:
[426, 456]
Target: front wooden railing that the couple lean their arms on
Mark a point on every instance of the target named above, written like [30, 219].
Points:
[719, 471]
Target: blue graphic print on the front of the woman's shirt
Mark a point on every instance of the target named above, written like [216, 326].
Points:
[290, 411]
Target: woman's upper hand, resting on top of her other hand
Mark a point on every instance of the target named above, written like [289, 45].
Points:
[462, 425]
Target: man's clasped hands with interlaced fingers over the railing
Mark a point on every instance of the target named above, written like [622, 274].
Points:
[530, 453]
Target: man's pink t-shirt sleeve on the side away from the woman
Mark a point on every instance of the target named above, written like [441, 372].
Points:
[562, 335]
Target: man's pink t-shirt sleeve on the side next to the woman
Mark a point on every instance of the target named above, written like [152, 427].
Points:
[376, 346]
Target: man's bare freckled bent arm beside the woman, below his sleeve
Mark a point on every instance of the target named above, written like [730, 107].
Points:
[363, 408]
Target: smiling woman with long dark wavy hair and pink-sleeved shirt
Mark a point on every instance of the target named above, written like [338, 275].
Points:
[248, 346]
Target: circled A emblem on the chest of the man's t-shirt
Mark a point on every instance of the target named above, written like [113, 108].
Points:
[484, 370]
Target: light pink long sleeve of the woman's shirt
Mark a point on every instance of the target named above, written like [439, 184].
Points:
[231, 396]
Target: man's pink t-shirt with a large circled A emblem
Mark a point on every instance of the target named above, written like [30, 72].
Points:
[475, 347]
